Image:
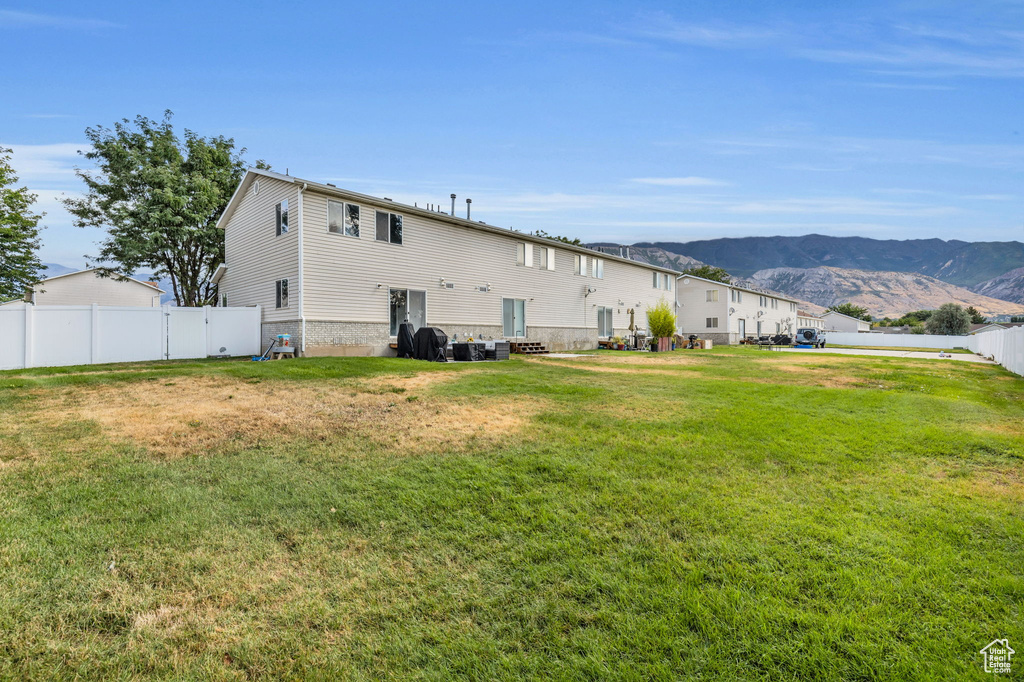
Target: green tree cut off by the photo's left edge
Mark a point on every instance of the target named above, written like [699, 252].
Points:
[20, 264]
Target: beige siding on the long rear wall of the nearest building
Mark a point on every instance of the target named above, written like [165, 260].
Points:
[343, 273]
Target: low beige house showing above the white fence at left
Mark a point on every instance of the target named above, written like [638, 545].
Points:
[87, 288]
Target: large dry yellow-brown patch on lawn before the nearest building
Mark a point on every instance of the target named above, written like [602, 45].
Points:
[190, 415]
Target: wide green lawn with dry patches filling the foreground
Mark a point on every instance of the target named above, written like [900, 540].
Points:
[727, 515]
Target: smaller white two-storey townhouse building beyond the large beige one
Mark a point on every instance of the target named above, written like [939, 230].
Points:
[727, 314]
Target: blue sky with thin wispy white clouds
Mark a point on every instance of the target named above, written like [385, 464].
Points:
[607, 121]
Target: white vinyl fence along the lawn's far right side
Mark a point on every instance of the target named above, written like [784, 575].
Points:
[1006, 347]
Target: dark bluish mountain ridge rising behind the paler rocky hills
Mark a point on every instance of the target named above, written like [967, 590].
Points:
[961, 264]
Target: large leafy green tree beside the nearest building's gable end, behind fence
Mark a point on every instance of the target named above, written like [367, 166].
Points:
[159, 197]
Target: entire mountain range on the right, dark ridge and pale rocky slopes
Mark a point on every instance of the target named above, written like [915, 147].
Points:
[888, 277]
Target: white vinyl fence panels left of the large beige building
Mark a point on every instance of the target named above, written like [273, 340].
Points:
[60, 335]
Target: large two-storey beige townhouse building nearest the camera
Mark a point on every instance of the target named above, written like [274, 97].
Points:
[340, 271]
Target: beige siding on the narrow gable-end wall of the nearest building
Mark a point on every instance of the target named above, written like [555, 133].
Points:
[257, 258]
